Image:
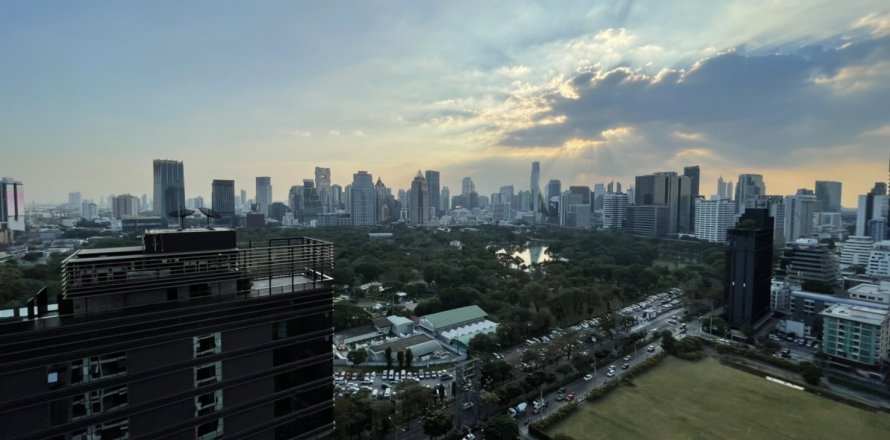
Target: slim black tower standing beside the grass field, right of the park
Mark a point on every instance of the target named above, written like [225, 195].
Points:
[749, 265]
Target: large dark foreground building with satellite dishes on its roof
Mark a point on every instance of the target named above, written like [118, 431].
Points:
[190, 336]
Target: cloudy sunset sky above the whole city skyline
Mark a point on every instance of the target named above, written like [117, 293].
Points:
[92, 92]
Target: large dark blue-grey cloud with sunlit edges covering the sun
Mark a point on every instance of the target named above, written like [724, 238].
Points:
[759, 102]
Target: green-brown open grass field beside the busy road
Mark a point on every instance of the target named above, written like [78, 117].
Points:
[706, 400]
